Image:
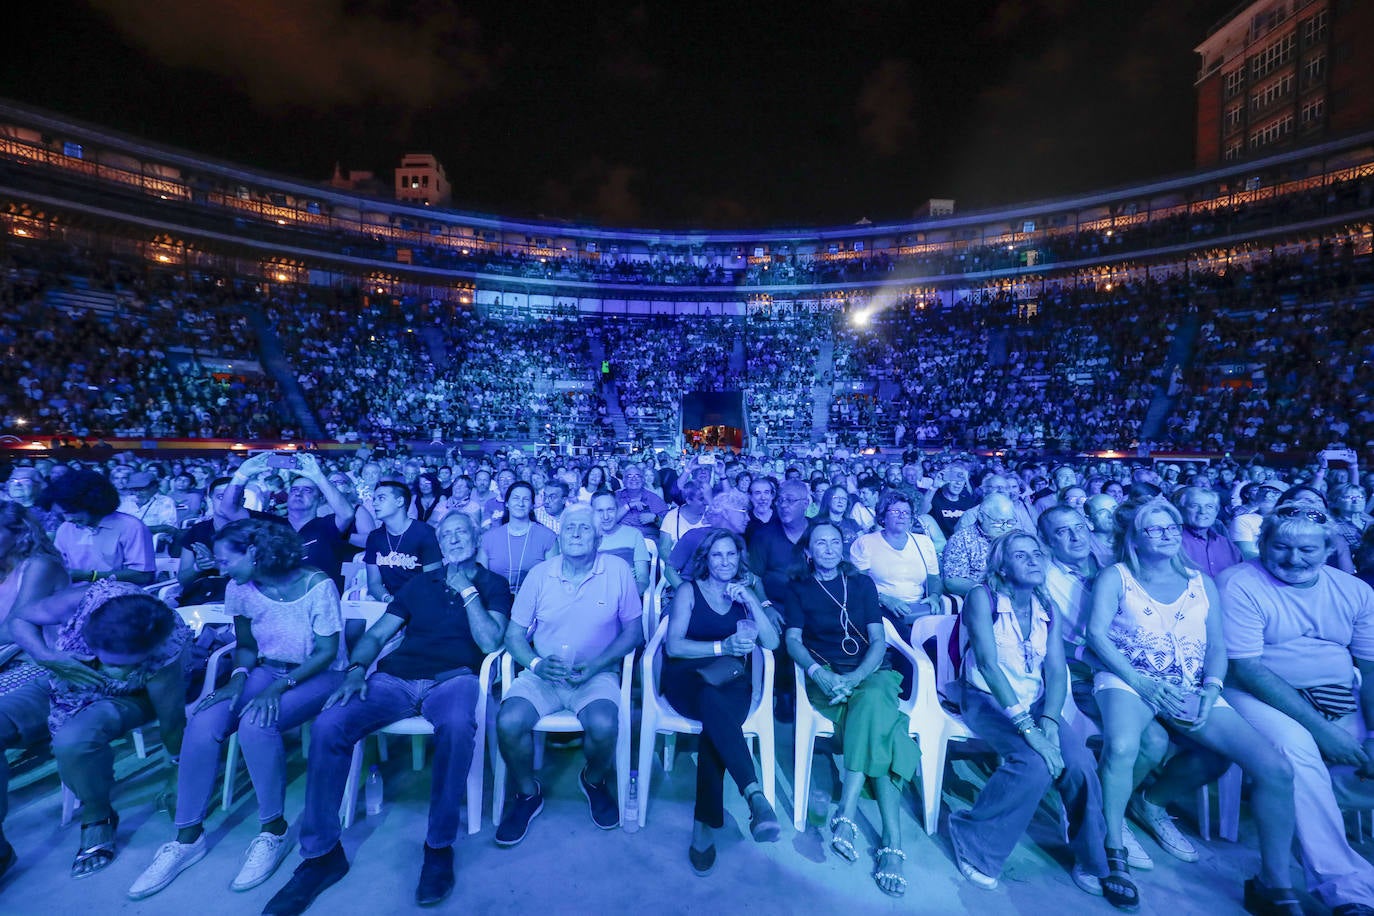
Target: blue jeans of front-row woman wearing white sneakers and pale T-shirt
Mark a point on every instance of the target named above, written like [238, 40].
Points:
[263, 752]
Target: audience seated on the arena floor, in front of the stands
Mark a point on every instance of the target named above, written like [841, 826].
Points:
[1195, 616]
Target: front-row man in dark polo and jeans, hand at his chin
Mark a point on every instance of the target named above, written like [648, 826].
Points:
[453, 619]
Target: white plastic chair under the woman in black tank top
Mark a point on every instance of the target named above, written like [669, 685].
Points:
[659, 718]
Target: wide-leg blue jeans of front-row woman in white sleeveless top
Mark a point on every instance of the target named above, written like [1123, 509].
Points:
[986, 834]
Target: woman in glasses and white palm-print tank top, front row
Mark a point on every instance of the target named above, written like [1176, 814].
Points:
[1156, 627]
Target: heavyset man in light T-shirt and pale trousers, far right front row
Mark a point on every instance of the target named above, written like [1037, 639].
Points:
[1294, 627]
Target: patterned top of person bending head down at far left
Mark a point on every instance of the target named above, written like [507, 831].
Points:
[67, 698]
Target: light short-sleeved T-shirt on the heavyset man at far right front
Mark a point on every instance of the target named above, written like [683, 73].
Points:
[1305, 635]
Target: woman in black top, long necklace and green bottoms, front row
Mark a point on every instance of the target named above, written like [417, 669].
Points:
[835, 634]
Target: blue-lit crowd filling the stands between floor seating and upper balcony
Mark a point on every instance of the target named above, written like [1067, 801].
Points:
[1218, 360]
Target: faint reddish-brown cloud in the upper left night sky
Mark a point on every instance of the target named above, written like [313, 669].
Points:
[313, 53]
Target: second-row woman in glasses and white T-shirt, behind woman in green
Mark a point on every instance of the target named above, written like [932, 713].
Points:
[903, 565]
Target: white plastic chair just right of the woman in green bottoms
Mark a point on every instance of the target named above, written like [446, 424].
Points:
[931, 724]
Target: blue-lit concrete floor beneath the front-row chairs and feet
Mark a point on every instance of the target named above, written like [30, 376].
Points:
[567, 866]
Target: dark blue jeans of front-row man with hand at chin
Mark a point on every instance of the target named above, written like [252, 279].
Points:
[449, 705]
